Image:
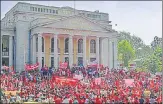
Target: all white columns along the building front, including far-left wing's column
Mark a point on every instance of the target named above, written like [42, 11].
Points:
[110, 52]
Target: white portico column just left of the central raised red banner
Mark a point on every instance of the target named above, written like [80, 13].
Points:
[55, 51]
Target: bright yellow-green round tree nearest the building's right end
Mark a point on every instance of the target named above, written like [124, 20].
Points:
[125, 52]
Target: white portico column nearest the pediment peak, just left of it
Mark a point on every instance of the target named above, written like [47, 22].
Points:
[70, 51]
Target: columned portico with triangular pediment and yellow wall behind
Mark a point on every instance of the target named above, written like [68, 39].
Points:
[78, 46]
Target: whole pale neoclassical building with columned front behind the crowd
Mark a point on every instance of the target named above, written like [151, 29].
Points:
[35, 33]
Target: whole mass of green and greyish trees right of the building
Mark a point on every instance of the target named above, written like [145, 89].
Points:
[149, 59]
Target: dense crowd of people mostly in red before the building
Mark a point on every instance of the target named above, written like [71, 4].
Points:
[41, 86]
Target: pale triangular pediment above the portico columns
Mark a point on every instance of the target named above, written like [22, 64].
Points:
[78, 23]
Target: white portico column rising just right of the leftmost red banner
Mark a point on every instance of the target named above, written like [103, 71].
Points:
[39, 50]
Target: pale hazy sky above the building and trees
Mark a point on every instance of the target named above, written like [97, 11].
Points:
[141, 18]
